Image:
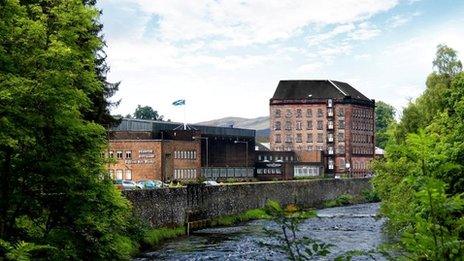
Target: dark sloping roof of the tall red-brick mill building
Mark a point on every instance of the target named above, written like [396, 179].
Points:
[316, 89]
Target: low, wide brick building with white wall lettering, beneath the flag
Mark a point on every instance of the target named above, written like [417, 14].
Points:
[163, 151]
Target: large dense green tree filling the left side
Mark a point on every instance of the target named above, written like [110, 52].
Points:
[54, 189]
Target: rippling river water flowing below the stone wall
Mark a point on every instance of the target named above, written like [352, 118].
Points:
[346, 228]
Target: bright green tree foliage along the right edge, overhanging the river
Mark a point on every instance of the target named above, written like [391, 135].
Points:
[421, 178]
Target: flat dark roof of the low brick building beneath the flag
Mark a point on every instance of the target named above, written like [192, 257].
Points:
[156, 126]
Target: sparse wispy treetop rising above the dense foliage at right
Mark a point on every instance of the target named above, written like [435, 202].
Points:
[446, 61]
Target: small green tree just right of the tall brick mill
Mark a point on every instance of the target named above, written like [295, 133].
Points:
[384, 116]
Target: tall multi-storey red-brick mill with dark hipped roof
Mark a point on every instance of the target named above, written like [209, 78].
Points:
[324, 115]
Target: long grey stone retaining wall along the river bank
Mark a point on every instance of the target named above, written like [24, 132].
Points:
[169, 207]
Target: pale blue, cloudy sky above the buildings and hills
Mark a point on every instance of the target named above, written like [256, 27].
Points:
[225, 58]
